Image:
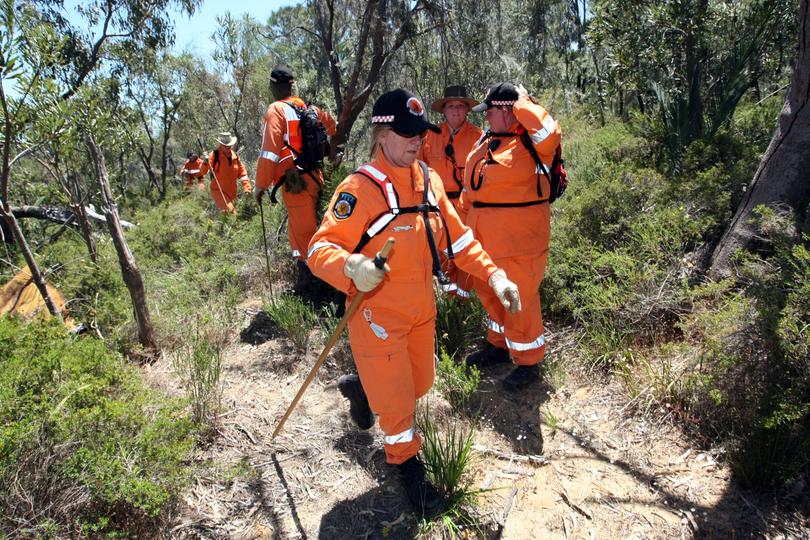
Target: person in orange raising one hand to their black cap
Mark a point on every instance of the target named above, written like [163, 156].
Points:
[506, 201]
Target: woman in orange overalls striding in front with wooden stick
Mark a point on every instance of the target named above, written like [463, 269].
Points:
[392, 333]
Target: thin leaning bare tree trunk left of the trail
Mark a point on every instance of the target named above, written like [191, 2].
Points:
[129, 269]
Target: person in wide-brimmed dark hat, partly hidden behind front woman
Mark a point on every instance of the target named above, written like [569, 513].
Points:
[446, 153]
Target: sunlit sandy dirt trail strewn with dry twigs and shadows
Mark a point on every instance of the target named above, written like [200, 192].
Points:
[604, 473]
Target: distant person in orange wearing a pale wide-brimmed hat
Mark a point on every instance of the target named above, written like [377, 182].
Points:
[226, 170]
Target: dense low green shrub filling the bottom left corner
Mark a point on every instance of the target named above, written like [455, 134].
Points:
[82, 439]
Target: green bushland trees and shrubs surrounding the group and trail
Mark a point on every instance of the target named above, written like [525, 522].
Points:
[666, 111]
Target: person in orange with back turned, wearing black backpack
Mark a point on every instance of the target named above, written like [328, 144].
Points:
[283, 164]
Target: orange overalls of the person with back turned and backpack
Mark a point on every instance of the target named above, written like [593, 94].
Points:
[281, 132]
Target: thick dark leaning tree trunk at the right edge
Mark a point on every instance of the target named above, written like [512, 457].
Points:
[783, 176]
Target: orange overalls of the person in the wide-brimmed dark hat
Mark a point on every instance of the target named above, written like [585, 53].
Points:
[450, 167]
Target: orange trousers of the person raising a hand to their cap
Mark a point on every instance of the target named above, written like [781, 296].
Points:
[522, 332]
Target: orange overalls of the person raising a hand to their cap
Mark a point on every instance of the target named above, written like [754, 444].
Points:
[516, 238]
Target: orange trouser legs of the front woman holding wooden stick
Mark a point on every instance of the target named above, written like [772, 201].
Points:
[395, 372]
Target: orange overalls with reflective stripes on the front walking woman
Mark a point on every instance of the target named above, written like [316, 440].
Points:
[392, 332]
